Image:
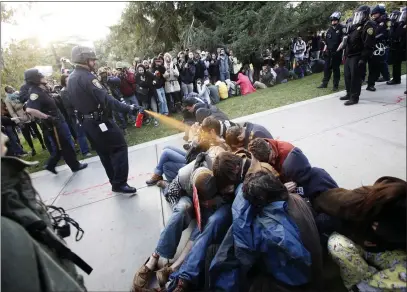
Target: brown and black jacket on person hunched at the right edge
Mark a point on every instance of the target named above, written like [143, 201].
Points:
[384, 202]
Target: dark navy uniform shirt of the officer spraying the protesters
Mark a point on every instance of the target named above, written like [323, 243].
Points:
[88, 95]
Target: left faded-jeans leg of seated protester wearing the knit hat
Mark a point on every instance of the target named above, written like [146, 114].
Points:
[182, 215]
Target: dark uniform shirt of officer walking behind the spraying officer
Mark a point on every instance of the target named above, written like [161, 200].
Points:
[40, 100]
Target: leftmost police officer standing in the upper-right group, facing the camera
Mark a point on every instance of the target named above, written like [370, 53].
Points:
[333, 55]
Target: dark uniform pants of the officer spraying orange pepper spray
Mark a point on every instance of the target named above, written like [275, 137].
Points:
[111, 148]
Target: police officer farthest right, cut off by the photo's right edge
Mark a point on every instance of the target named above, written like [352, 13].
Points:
[398, 45]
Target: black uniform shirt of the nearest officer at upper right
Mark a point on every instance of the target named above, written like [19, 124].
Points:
[361, 40]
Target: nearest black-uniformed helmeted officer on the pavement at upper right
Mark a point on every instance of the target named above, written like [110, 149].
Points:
[359, 48]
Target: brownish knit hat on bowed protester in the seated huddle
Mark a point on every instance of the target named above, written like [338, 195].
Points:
[204, 181]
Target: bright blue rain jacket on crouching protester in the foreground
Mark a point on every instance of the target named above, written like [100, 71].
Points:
[270, 238]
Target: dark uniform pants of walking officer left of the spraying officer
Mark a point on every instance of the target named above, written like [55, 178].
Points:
[63, 146]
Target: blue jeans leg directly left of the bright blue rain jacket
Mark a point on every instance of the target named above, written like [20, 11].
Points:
[214, 231]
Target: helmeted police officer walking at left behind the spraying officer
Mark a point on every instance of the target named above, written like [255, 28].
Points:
[41, 105]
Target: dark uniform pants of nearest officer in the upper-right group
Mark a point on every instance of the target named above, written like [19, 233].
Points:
[353, 80]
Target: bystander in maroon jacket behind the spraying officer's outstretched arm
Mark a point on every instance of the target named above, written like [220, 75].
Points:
[127, 87]
